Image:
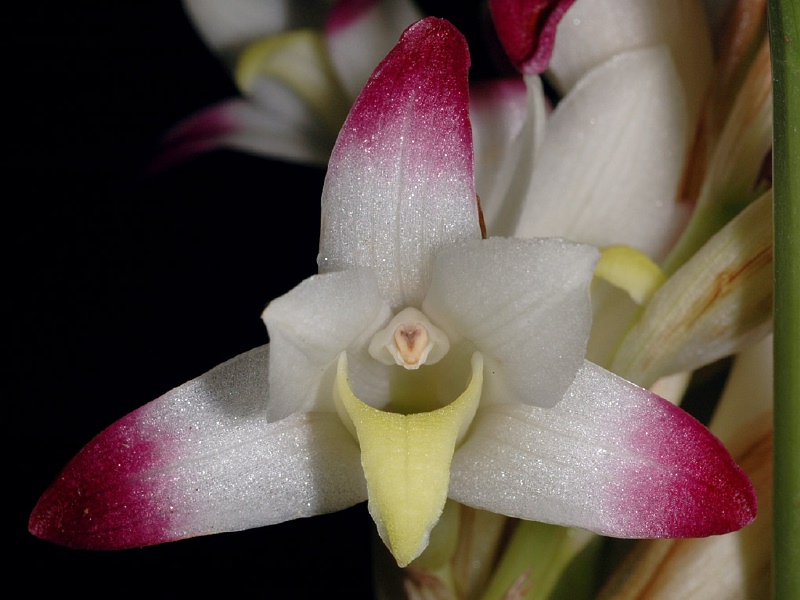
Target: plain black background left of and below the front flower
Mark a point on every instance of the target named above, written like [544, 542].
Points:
[124, 285]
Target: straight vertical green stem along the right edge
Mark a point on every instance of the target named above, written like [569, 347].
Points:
[784, 24]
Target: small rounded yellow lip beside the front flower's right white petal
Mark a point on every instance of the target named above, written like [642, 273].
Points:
[630, 270]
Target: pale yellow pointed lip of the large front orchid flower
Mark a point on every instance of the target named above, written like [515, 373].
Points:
[406, 460]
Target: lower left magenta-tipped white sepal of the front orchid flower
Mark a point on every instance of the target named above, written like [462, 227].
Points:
[201, 459]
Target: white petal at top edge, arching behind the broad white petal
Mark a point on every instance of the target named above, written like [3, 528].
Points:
[593, 31]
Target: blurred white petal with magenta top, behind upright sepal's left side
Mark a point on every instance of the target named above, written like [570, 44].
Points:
[360, 33]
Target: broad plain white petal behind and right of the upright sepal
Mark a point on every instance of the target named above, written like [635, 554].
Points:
[611, 161]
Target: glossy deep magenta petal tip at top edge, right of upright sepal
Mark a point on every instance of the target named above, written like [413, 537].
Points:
[527, 30]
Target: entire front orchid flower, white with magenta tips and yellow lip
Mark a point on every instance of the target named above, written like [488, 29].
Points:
[422, 363]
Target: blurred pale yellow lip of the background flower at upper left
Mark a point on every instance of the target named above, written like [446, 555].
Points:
[298, 59]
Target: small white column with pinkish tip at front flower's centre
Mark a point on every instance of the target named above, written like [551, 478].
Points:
[409, 340]
